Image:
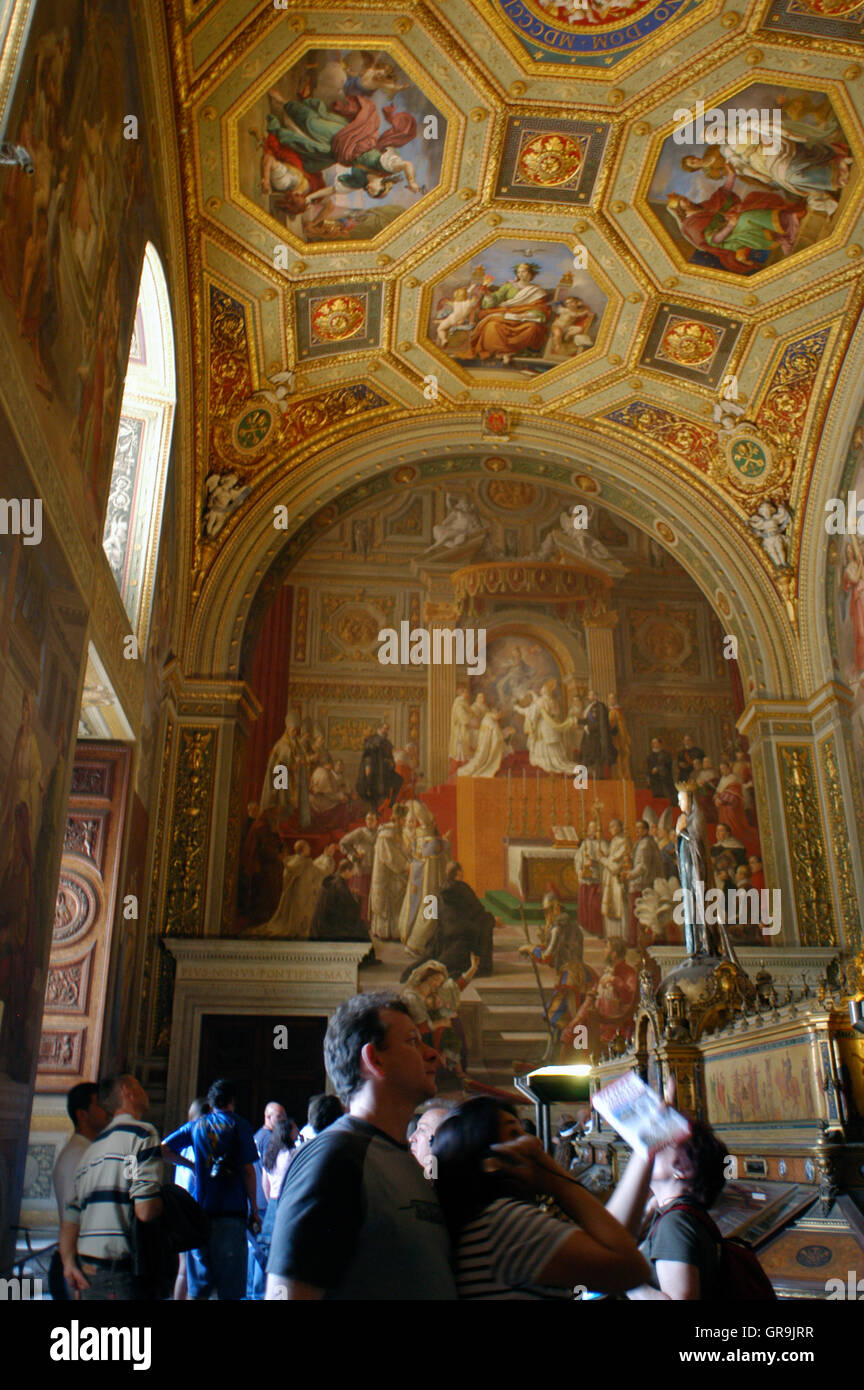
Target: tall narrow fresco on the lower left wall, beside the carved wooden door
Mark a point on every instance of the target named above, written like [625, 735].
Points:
[42, 643]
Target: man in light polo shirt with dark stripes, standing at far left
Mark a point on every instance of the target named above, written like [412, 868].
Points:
[117, 1182]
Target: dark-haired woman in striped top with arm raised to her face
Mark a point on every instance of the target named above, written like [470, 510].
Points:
[490, 1175]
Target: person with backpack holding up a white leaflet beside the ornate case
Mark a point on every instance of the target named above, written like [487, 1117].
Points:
[666, 1199]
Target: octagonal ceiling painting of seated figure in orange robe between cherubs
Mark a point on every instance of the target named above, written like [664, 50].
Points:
[517, 306]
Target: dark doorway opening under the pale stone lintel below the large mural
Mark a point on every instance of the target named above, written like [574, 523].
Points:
[241, 1047]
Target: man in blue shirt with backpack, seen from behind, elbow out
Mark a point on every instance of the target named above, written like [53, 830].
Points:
[224, 1156]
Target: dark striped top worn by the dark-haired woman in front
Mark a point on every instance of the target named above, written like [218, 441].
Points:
[504, 1250]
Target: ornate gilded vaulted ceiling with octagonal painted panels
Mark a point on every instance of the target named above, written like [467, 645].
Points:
[497, 215]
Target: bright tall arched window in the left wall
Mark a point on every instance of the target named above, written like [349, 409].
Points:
[141, 455]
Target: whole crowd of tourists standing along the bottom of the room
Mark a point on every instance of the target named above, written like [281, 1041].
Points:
[387, 1193]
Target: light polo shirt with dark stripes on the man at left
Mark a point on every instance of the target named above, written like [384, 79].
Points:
[122, 1167]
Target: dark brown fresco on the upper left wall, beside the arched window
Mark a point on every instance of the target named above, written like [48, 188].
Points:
[72, 234]
